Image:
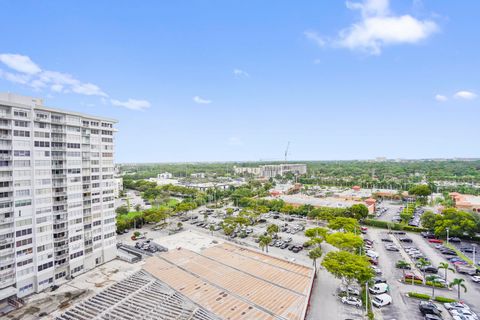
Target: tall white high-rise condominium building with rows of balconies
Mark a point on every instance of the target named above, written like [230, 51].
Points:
[57, 215]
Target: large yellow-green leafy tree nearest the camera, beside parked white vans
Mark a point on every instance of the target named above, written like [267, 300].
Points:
[348, 266]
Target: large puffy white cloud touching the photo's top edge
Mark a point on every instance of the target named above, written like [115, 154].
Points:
[379, 27]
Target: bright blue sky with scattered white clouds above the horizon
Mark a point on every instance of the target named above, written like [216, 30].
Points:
[236, 80]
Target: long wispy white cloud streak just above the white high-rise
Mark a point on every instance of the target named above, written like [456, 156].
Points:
[28, 73]
